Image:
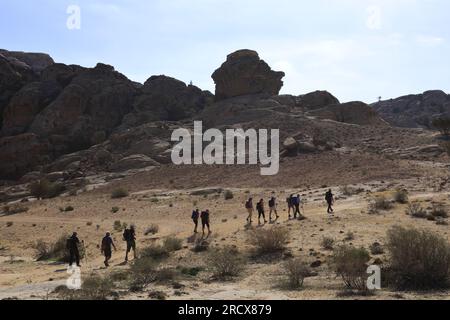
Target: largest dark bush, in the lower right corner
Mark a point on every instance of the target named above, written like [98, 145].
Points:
[420, 260]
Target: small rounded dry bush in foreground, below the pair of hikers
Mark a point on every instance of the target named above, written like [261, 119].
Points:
[225, 262]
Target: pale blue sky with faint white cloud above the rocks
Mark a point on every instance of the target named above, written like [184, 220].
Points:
[356, 49]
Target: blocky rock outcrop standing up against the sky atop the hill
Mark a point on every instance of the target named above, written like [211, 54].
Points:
[244, 73]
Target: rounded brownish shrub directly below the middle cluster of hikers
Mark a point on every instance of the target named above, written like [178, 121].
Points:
[269, 240]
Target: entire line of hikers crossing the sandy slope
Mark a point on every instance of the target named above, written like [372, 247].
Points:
[294, 203]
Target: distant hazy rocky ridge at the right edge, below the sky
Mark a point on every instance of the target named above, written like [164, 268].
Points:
[414, 111]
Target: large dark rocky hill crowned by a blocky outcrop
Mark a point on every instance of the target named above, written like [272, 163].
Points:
[70, 122]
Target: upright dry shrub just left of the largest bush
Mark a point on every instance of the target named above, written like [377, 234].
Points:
[350, 264]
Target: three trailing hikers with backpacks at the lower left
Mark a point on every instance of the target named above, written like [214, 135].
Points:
[73, 246]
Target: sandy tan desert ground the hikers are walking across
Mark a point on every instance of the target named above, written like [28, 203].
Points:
[155, 199]
